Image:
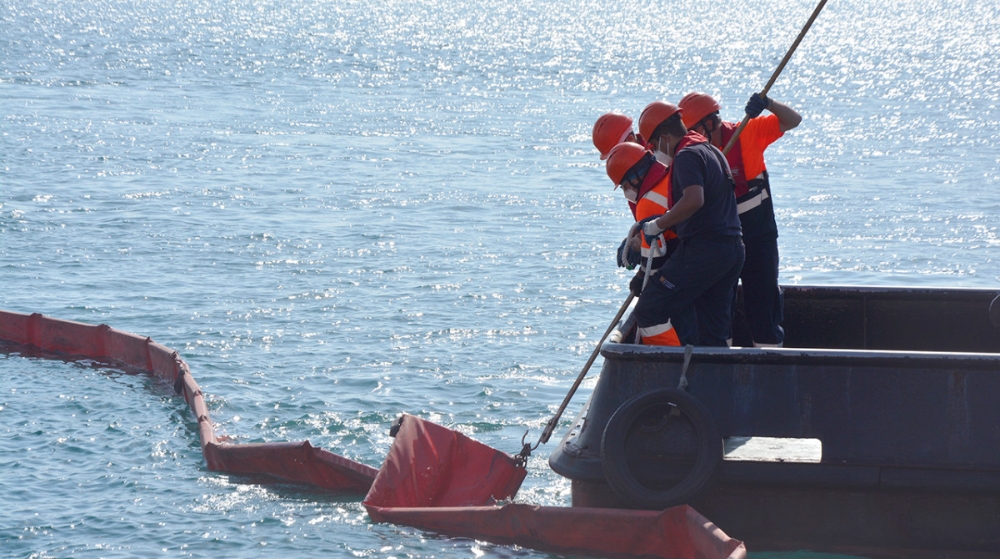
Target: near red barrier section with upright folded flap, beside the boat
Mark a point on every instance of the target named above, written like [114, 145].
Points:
[437, 479]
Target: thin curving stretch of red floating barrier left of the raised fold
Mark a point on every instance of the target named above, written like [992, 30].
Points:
[298, 462]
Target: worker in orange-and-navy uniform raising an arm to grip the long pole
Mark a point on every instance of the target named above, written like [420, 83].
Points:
[762, 299]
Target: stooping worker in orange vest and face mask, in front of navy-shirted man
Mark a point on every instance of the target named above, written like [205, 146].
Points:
[645, 182]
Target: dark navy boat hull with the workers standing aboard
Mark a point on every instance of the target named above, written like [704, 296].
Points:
[905, 426]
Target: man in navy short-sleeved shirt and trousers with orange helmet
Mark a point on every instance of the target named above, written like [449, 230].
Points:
[694, 286]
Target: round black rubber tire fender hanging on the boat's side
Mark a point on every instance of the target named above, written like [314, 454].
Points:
[613, 459]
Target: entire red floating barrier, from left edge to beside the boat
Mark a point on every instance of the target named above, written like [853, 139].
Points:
[434, 478]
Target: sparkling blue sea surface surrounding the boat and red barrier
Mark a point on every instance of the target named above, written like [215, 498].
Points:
[337, 211]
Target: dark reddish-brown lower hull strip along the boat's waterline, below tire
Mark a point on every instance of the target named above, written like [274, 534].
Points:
[907, 524]
